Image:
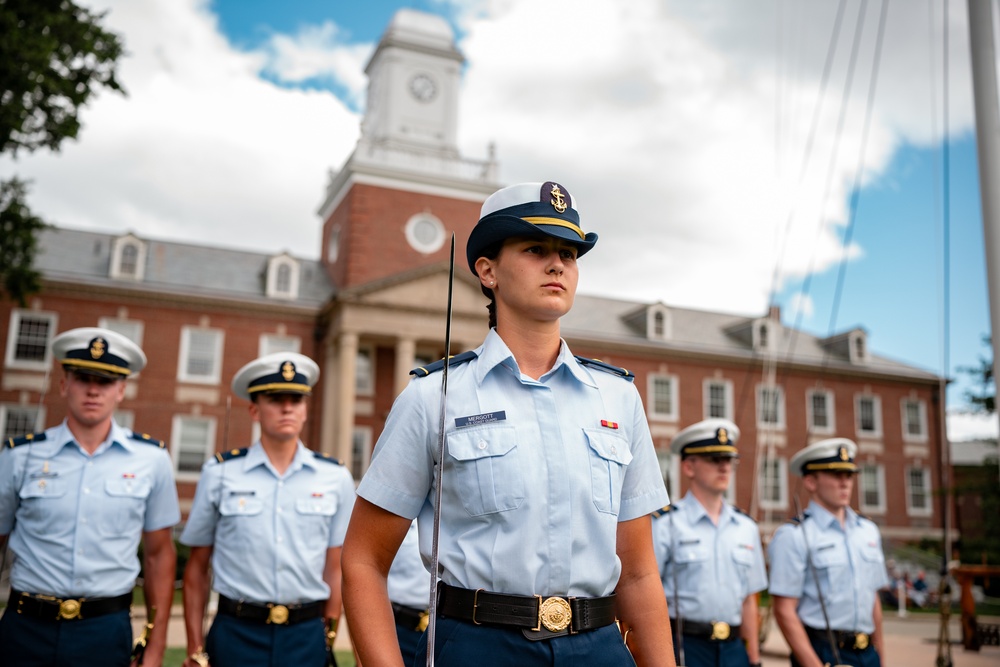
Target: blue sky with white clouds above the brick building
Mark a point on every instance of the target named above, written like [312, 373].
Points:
[730, 154]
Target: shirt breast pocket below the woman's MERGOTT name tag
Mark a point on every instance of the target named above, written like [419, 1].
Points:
[487, 469]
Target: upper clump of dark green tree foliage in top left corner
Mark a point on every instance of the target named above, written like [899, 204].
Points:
[53, 57]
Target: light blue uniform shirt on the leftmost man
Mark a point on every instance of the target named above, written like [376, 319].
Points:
[77, 518]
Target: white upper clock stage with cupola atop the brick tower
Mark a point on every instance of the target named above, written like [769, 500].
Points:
[413, 80]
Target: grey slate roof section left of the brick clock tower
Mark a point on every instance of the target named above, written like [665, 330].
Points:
[84, 257]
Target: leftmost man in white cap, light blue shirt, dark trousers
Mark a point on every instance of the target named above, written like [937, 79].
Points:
[78, 497]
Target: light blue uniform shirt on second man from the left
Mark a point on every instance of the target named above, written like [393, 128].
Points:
[271, 532]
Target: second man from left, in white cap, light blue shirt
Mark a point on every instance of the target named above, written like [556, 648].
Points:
[271, 520]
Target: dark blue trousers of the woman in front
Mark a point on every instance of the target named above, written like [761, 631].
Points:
[461, 644]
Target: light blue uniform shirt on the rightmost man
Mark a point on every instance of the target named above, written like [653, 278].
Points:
[849, 564]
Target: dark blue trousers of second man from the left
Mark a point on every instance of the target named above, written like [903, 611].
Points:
[236, 643]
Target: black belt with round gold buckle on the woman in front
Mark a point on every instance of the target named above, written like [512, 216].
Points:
[544, 616]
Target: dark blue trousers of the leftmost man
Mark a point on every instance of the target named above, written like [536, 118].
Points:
[103, 641]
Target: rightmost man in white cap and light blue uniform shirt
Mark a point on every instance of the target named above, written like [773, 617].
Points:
[827, 566]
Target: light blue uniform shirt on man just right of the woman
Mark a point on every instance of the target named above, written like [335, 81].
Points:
[715, 566]
